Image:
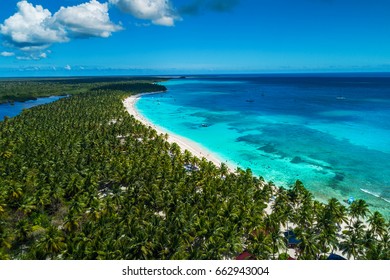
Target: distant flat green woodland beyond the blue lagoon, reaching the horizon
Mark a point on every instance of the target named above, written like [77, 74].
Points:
[30, 89]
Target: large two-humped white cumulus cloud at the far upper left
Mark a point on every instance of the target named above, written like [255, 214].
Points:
[32, 29]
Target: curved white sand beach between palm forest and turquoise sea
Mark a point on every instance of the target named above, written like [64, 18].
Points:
[185, 144]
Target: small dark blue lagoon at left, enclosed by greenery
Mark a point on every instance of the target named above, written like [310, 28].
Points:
[12, 110]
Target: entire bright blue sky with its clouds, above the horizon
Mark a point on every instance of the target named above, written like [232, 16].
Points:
[138, 37]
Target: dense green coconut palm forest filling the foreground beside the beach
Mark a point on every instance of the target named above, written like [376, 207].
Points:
[82, 179]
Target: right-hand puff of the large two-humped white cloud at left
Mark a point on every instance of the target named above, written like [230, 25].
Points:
[90, 19]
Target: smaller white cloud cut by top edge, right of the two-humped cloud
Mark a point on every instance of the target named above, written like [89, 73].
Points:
[160, 12]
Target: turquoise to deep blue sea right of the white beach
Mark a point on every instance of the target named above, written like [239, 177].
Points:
[331, 132]
